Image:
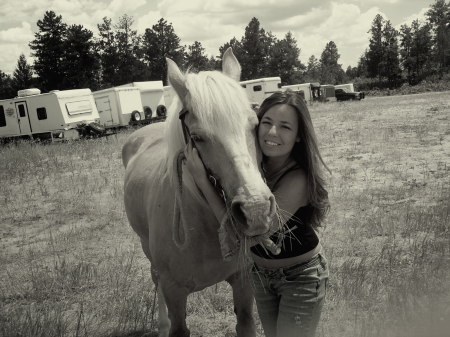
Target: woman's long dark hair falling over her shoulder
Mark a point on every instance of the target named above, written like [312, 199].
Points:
[306, 152]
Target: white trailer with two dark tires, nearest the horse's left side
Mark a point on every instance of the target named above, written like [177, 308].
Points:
[152, 96]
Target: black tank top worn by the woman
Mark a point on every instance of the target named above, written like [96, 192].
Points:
[296, 237]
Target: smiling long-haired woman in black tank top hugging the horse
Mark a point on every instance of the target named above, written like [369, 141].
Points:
[289, 283]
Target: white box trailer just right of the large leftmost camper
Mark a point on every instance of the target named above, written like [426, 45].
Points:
[118, 106]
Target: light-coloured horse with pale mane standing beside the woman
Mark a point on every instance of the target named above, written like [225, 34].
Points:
[177, 229]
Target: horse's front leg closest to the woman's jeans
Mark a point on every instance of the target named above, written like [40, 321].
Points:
[243, 304]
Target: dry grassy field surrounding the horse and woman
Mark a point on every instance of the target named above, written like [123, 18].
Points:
[71, 265]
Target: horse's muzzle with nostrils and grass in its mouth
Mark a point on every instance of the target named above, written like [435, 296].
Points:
[254, 213]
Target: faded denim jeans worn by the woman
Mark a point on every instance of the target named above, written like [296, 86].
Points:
[290, 300]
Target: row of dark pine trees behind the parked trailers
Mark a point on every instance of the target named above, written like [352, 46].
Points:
[71, 56]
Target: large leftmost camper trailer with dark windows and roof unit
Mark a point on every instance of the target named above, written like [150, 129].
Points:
[61, 114]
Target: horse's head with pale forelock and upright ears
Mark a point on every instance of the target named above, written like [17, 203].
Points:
[219, 120]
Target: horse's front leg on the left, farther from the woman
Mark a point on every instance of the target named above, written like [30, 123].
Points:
[175, 297]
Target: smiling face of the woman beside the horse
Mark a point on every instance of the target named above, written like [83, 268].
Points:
[278, 131]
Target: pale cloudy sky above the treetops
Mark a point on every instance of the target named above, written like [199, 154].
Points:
[214, 22]
